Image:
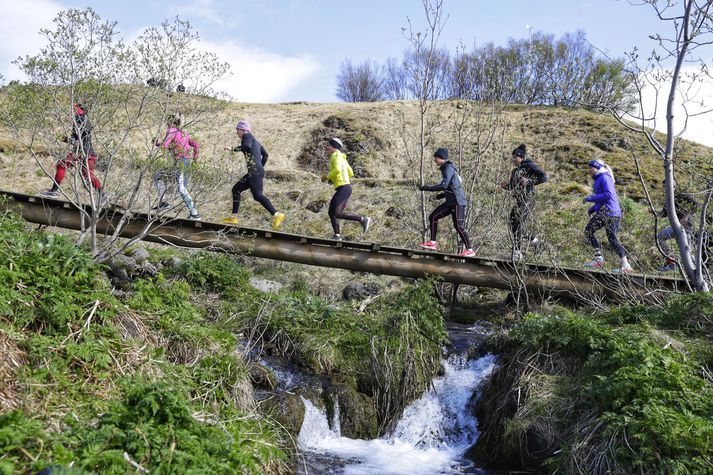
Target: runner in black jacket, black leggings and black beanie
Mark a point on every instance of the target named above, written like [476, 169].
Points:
[523, 179]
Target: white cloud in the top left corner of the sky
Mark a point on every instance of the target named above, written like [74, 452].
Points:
[20, 23]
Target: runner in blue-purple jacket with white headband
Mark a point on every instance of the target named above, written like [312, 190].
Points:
[605, 213]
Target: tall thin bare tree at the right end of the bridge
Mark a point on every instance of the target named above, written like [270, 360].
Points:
[672, 69]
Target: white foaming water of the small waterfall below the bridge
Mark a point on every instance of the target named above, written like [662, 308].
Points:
[431, 437]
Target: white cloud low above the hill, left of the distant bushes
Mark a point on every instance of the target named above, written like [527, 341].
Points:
[258, 75]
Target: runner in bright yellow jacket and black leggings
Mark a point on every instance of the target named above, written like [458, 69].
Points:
[338, 176]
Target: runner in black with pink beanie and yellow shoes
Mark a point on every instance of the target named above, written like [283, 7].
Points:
[256, 158]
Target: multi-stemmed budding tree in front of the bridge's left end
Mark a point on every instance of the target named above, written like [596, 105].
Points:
[87, 62]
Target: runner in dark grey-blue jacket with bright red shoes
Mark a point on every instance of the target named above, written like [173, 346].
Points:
[454, 205]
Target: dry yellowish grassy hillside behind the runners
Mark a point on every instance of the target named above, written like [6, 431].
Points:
[380, 139]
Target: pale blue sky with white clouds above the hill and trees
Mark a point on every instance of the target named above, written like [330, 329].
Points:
[290, 50]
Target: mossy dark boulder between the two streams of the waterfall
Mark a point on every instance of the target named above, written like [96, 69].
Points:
[357, 412]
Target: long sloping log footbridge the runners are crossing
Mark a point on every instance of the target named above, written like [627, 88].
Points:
[374, 258]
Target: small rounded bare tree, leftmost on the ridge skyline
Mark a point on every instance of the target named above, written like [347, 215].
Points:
[360, 83]
